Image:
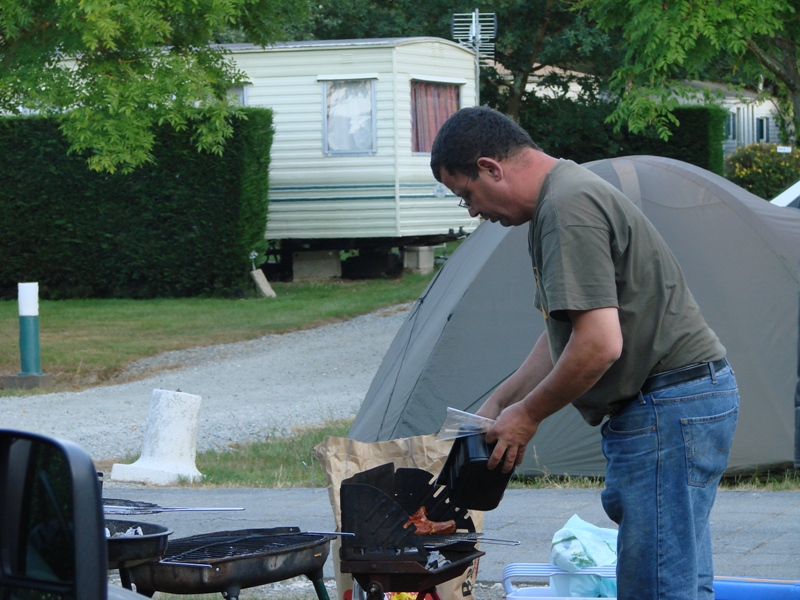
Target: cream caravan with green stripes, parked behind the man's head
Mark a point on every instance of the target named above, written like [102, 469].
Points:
[354, 120]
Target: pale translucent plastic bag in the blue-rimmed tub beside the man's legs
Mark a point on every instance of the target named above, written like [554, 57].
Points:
[577, 545]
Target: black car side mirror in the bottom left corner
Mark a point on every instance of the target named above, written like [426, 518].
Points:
[52, 536]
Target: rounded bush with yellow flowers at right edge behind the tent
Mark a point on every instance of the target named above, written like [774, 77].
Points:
[762, 170]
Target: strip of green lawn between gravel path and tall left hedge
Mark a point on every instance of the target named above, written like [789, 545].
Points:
[89, 342]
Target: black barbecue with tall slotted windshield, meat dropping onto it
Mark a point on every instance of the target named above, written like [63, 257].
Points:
[384, 555]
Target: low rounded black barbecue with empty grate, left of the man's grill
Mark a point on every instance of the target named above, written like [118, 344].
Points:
[228, 561]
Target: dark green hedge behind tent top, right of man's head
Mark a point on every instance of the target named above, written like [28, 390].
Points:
[578, 131]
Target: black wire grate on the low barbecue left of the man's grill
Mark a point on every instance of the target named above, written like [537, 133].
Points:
[219, 546]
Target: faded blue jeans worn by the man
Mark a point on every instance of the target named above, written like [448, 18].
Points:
[666, 453]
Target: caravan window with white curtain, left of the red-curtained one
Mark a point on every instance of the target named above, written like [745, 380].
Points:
[349, 115]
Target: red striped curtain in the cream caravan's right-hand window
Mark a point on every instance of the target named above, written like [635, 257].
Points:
[431, 104]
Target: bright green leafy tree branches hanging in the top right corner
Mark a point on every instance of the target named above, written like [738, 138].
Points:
[671, 41]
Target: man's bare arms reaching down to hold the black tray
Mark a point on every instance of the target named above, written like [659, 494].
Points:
[594, 345]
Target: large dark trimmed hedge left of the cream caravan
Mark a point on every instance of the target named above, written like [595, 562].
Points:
[183, 226]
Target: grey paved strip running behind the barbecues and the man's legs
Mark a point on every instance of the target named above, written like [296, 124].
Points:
[755, 534]
